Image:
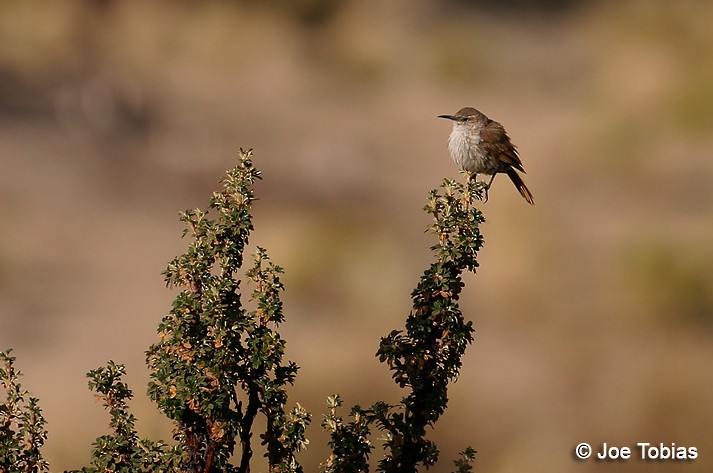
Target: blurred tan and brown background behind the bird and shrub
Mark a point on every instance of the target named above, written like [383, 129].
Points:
[593, 309]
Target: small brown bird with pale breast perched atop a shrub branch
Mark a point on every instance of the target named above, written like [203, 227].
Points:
[480, 145]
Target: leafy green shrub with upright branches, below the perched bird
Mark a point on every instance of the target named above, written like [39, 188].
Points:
[218, 364]
